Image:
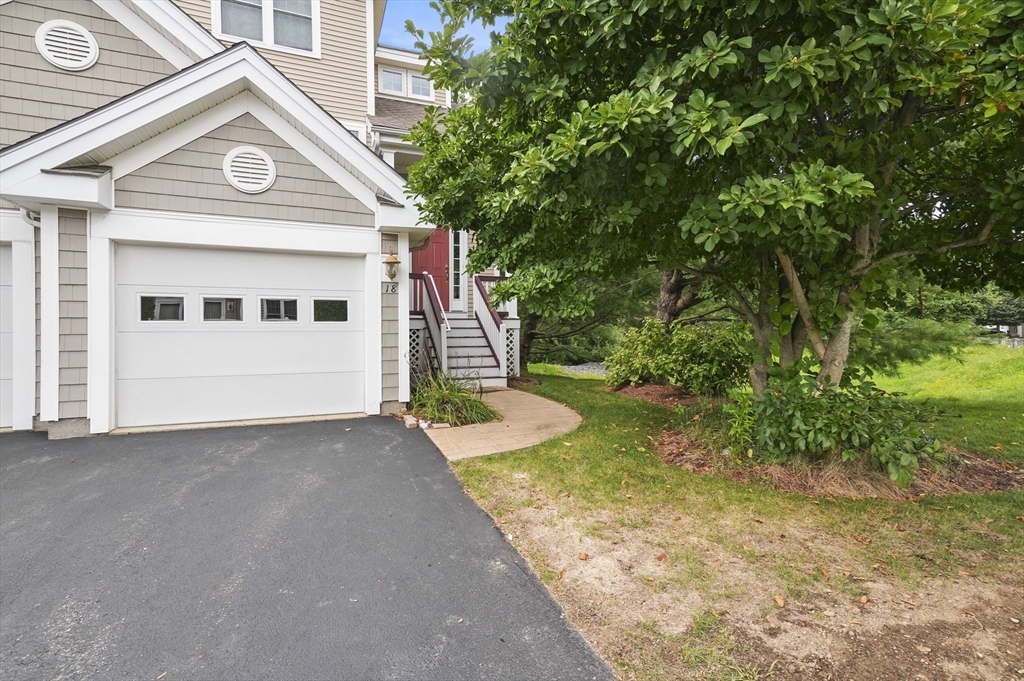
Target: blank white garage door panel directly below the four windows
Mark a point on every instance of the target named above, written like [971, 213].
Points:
[239, 354]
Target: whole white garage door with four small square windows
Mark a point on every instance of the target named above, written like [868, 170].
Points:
[208, 335]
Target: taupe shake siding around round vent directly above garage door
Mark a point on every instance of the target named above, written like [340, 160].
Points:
[192, 180]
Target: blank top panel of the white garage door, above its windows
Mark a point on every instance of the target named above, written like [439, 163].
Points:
[143, 266]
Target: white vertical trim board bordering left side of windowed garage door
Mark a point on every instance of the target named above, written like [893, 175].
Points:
[102, 333]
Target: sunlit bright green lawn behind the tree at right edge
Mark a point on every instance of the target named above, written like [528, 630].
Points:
[982, 400]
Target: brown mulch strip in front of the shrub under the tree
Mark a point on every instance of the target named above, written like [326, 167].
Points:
[966, 475]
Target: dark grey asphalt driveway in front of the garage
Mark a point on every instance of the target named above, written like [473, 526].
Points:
[334, 550]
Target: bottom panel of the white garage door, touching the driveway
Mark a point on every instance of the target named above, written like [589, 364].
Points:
[162, 402]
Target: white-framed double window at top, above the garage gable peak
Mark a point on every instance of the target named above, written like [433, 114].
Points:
[290, 26]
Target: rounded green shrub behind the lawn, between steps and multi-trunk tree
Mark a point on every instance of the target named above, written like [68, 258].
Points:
[705, 359]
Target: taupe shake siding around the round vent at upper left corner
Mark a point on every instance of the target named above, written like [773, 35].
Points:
[38, 96]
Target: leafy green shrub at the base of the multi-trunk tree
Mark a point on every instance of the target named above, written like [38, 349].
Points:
[797, 418]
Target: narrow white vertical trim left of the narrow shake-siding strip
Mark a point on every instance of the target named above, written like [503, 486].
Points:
[50, 313]
